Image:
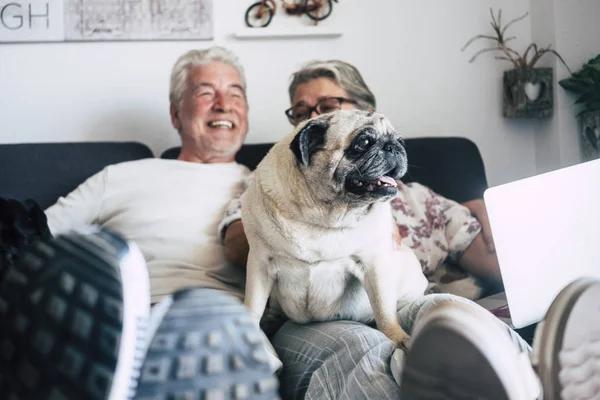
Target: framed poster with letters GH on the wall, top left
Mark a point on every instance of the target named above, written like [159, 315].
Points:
[105, 20]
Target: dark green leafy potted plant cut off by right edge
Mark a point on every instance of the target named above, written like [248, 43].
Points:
[585, 83]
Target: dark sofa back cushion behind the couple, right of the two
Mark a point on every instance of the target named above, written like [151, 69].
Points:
[450, 166]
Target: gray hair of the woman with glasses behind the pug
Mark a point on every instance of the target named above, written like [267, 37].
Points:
[343, 74]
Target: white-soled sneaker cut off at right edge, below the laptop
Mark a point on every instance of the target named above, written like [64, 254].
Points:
[567, 343]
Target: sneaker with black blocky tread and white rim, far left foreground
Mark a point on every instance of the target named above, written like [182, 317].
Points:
[76, 308]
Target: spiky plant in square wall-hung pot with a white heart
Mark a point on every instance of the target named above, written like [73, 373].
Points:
[528, 91]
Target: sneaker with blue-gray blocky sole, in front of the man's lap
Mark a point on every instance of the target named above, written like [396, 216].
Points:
[205, 345]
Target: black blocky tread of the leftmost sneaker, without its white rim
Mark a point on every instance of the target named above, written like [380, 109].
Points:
[61, 308]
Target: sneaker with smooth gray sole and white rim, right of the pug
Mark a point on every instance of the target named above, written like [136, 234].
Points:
[459, 351]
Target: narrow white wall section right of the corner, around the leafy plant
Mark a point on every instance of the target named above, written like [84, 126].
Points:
[573, 30]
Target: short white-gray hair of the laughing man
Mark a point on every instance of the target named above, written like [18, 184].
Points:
[194, 58]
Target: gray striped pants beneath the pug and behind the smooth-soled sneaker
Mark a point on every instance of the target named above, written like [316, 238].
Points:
[349, 360]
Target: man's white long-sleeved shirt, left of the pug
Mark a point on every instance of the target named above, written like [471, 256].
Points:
[171, 209]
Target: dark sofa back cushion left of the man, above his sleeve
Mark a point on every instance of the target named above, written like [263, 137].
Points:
[45, 171]
